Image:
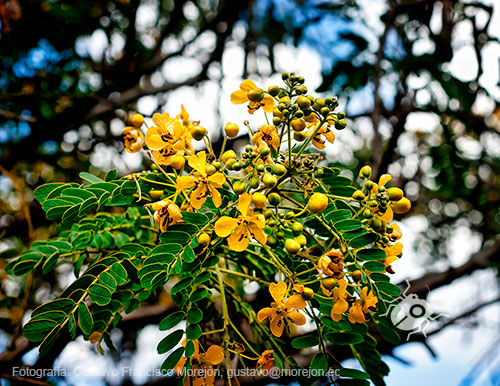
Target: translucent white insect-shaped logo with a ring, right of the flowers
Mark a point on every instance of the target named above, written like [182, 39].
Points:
[410, 313]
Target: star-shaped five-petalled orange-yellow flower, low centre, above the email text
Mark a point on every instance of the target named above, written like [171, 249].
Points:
[280, 312]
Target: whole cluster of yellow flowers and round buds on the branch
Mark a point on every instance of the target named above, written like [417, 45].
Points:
[277, 204]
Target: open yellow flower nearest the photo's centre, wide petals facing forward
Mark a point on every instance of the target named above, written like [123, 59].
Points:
[242, 228]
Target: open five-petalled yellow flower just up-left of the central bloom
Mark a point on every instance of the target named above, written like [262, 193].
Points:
[205, 184]
